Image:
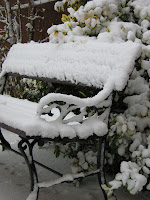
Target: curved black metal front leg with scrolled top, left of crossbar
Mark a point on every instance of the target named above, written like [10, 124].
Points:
[23, 145]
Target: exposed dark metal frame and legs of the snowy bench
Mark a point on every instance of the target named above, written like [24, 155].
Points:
[26, 145]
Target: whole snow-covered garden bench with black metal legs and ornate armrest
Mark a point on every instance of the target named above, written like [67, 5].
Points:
[89, 63]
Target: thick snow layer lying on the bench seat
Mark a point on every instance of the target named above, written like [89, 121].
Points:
[21, 114]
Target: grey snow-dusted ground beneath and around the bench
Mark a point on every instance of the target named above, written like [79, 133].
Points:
[14, 178]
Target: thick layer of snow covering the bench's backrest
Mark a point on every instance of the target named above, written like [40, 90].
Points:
[91, 62]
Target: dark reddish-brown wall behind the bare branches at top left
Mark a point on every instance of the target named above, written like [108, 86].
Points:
[45, 10]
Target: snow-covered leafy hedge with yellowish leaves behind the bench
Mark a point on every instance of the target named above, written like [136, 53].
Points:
[129, 134]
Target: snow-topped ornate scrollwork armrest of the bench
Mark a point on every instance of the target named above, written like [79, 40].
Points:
[72, 103]
